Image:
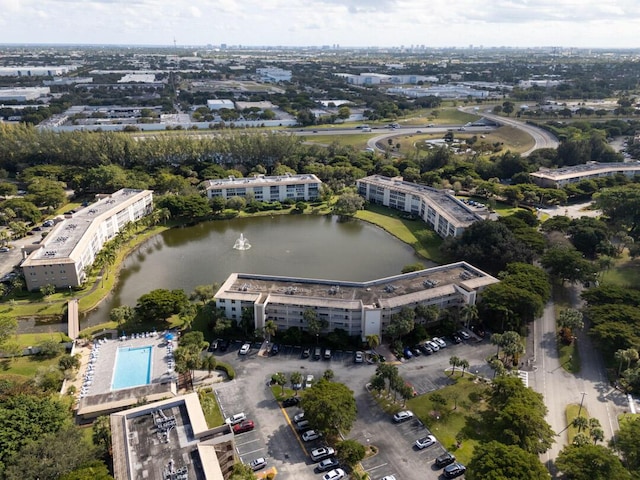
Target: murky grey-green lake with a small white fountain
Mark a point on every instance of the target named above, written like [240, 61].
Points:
[290, 245]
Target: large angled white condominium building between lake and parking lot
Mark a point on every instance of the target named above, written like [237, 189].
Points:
[359, 308]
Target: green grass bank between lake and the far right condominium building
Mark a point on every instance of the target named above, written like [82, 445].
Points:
[415, 233]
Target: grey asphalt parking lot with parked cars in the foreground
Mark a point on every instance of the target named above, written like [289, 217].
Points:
[275, 436]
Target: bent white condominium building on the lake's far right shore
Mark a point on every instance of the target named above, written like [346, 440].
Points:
[442, 211]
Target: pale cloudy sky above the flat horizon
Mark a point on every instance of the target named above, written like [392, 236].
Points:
[357, 23]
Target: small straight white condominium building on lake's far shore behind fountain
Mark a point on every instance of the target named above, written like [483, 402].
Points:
[267, 189]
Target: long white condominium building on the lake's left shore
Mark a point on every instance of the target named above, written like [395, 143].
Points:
[74, 242]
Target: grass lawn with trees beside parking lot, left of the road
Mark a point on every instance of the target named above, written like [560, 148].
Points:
[455, 420]
